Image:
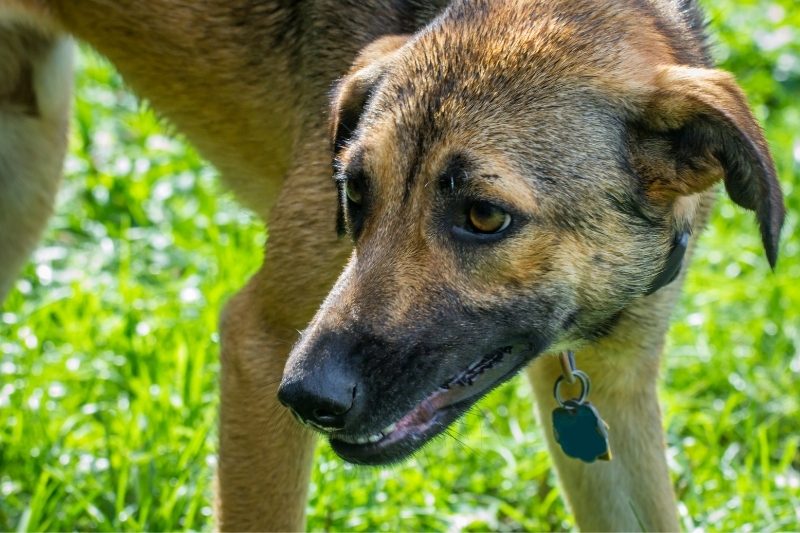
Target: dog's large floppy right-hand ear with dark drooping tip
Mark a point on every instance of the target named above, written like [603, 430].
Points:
[696, 128]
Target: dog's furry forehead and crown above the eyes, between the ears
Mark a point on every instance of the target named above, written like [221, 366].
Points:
[470, 84]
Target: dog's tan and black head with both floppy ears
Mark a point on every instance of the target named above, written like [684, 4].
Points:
[512, 179]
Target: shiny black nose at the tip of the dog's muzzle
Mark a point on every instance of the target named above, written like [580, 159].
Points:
[323, 402]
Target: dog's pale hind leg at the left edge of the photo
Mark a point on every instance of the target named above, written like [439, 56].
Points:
[35, 83]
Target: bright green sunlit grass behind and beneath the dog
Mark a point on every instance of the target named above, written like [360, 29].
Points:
[108, 350]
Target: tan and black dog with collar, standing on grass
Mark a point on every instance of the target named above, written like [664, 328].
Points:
[511, 180]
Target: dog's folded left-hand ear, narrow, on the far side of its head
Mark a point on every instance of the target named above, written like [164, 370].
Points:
[351, 94]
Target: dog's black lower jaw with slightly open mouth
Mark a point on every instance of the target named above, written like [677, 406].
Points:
[435, 412]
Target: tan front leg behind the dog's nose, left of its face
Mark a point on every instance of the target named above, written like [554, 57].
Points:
[265, 456]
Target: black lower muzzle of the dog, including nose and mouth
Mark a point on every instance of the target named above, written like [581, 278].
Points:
[324, 390]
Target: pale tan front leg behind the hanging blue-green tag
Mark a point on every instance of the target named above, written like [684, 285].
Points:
[633, 491]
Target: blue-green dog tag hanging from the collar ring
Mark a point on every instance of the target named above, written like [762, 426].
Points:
[581, 432]
